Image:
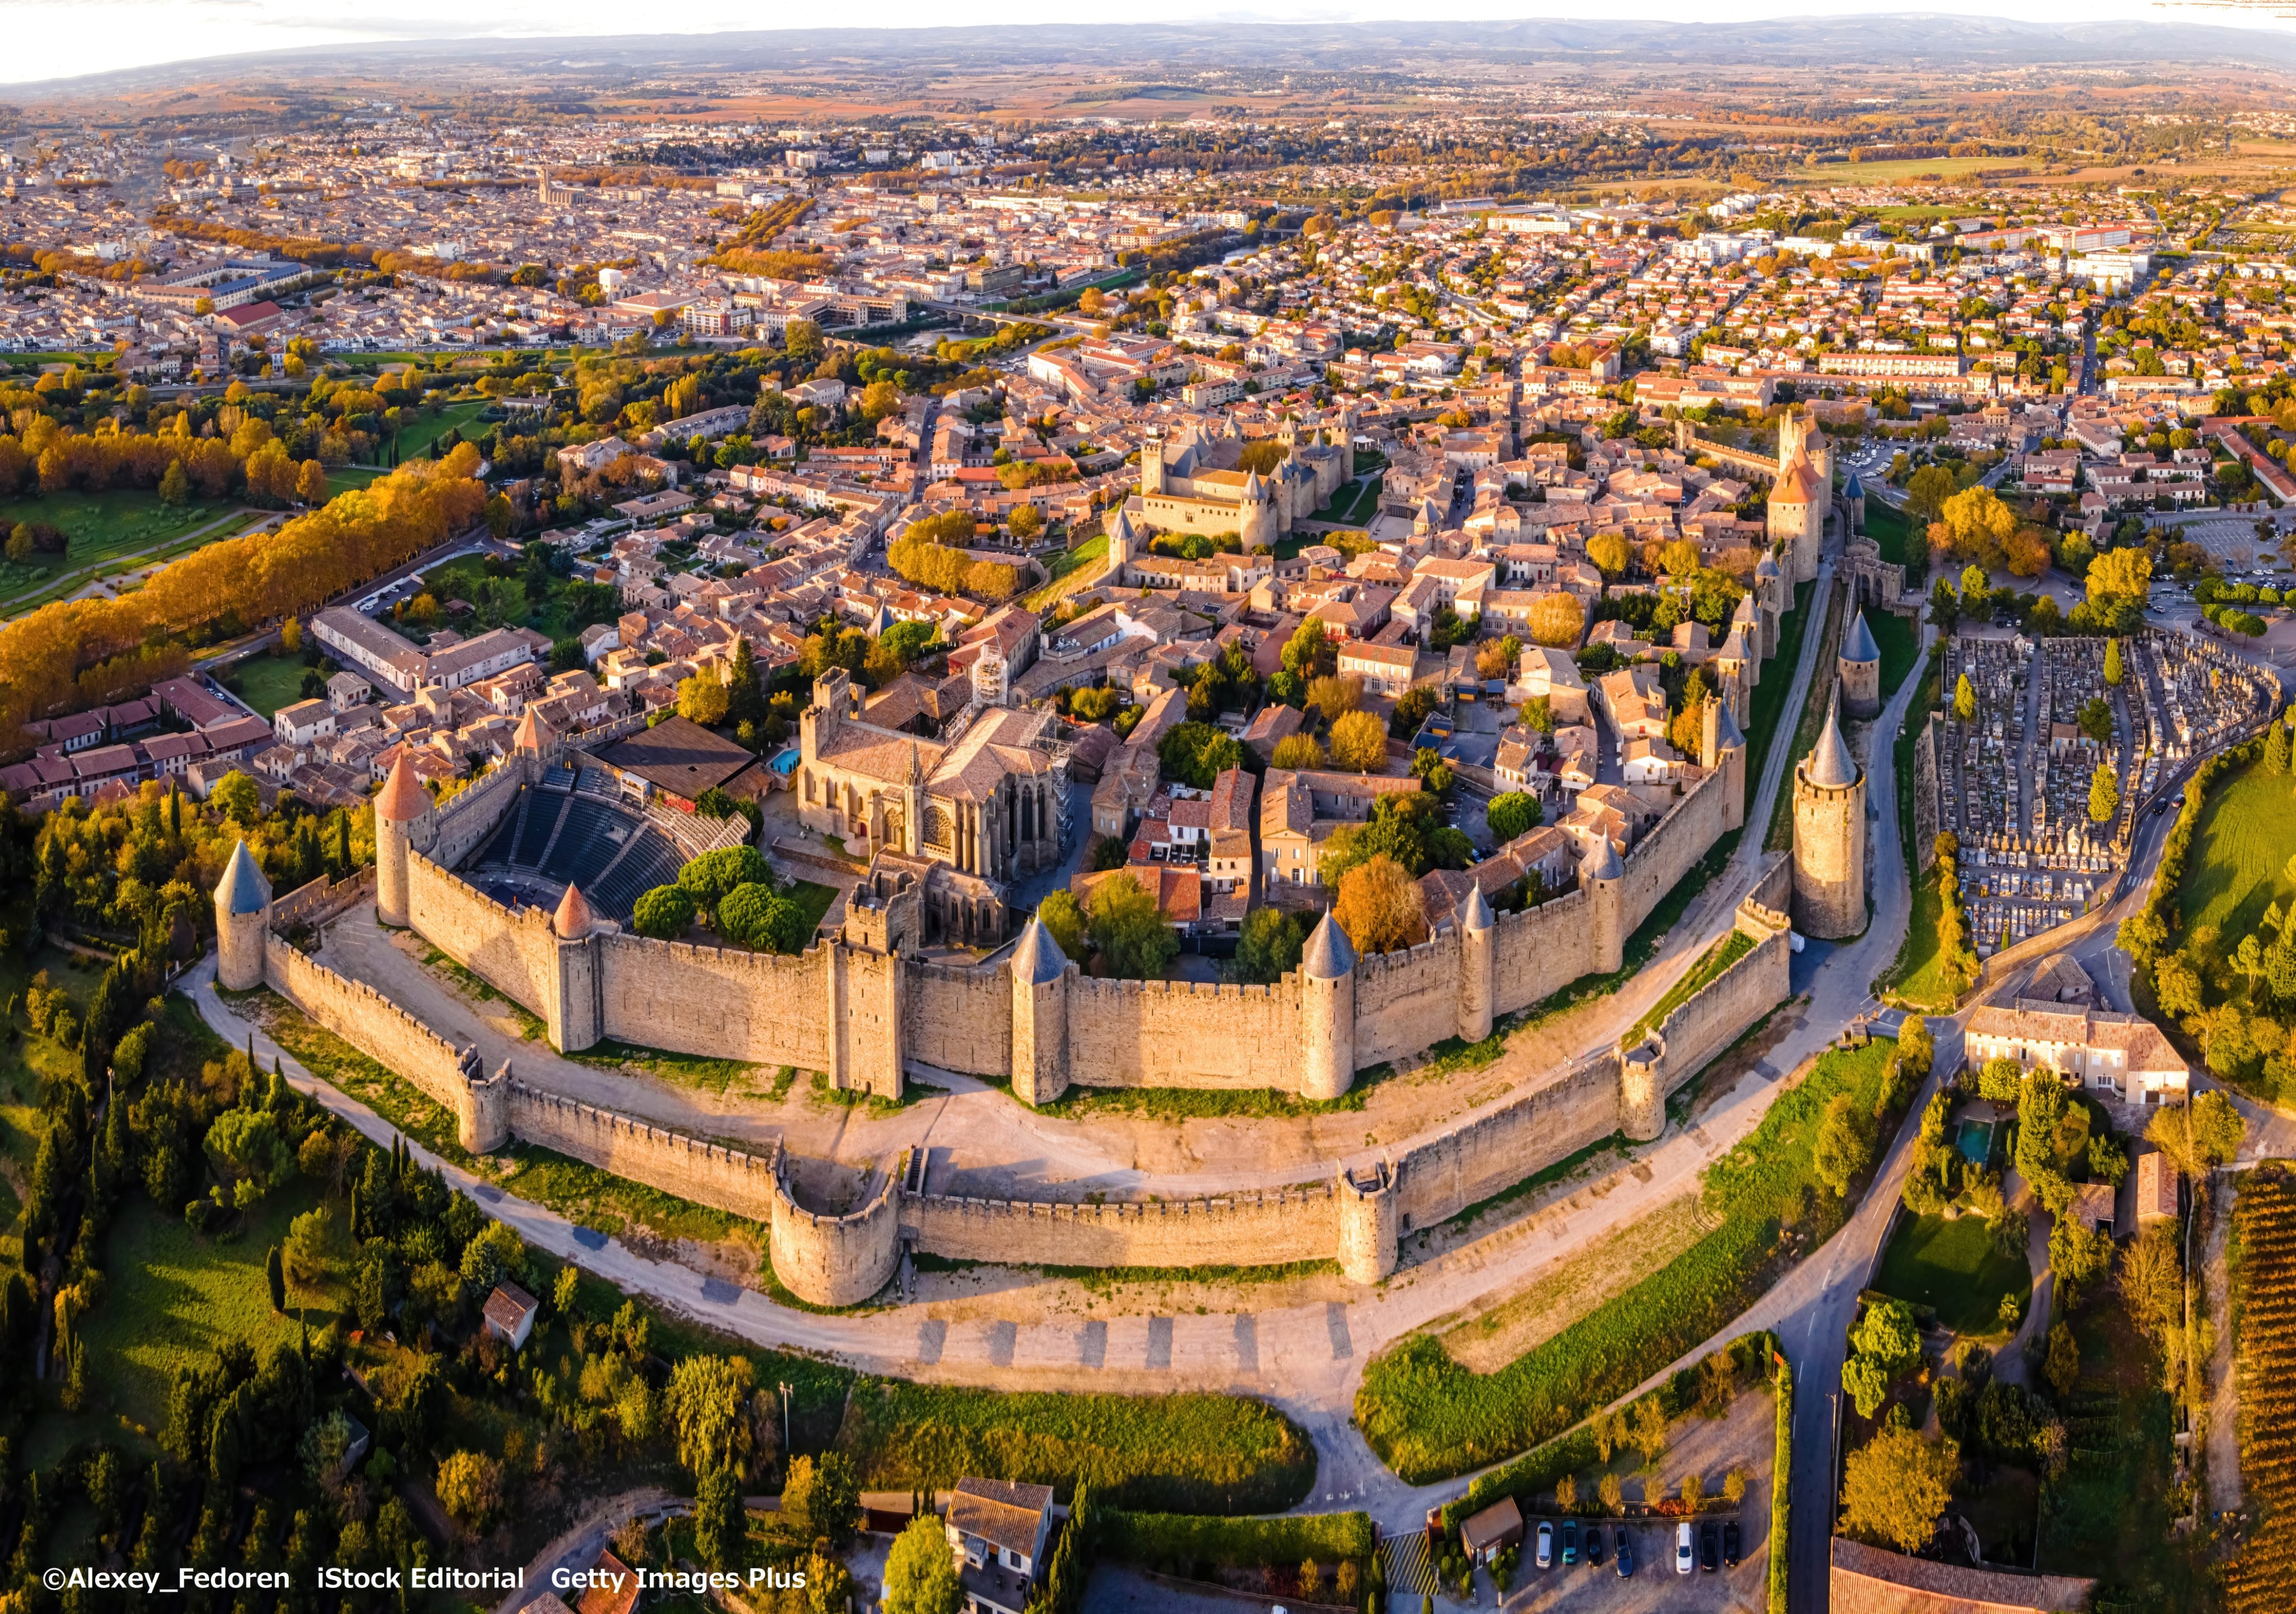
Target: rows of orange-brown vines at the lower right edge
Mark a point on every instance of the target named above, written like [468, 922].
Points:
[2265, 1337]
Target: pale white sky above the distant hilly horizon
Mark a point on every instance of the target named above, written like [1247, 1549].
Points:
[70, 38]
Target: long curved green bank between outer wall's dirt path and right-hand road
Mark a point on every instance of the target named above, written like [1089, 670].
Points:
[1429, 1418]
